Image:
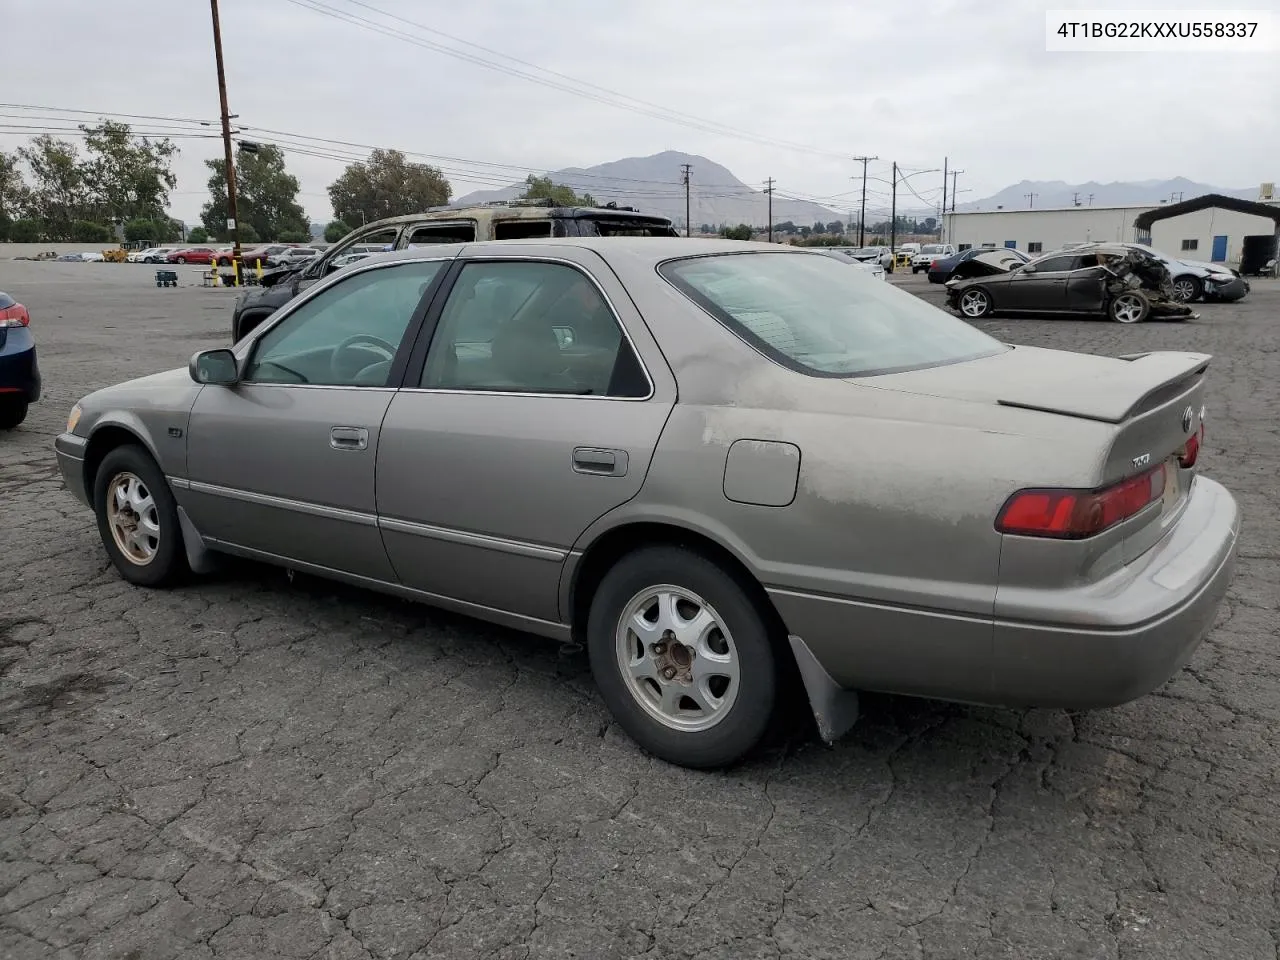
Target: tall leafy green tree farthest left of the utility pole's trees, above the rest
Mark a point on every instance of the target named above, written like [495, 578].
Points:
[127, 177]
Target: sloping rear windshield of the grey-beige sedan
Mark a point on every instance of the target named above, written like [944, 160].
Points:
[813, 314]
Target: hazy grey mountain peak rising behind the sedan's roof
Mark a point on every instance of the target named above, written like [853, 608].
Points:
[653, 185]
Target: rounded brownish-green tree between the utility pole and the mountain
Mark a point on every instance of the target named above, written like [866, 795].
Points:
[387, 185]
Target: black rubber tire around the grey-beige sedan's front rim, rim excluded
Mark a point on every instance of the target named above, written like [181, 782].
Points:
[168, 565]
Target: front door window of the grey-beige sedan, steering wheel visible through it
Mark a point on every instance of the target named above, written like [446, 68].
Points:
[349, 335]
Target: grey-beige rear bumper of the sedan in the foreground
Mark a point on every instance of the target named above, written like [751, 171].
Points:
[1096, 646]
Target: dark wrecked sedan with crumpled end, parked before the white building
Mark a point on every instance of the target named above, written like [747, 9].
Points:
[1123, 284]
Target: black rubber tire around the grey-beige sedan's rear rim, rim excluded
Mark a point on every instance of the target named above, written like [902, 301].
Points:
[752, 710]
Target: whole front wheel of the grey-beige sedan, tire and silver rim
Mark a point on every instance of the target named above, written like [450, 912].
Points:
[138, 519]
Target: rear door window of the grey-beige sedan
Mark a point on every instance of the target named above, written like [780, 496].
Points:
[527, 327]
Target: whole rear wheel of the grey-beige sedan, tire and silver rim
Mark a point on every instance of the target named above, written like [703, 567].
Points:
[683, 657]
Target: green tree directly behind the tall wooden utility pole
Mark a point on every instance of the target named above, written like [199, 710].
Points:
[267, 195]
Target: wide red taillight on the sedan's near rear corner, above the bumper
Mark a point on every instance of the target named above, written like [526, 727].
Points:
[1075, 515]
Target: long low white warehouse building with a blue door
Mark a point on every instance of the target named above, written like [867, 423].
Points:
[1212, 227]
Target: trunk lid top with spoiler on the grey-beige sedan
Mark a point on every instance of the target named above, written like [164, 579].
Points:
[1054, 382]
